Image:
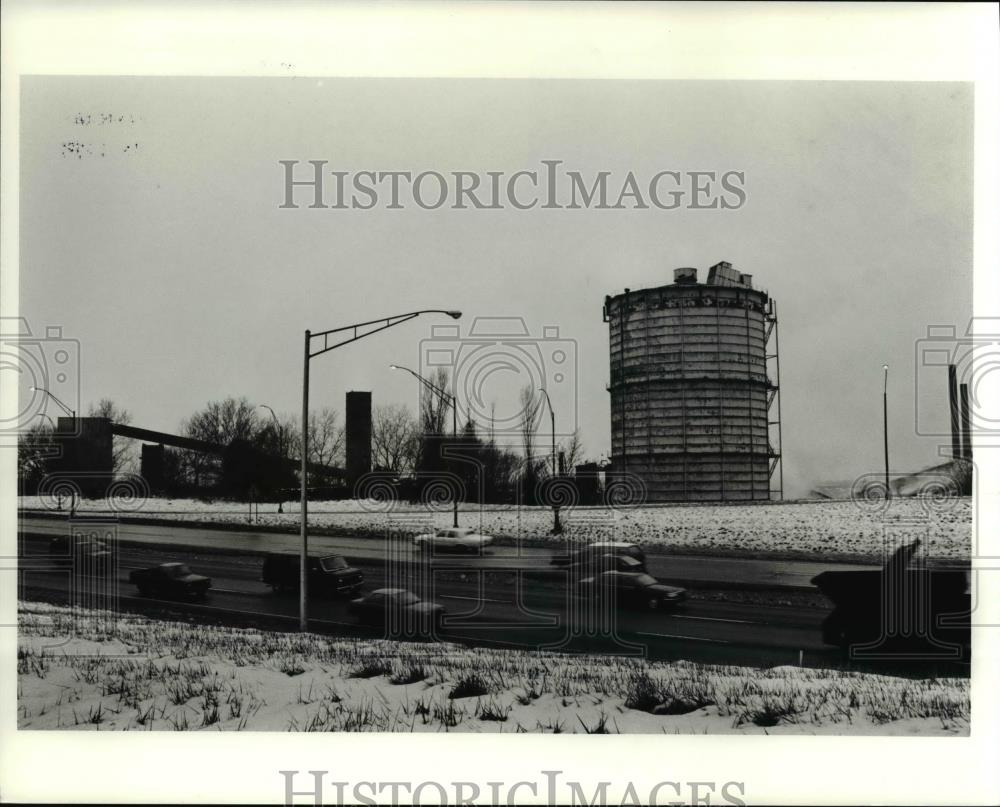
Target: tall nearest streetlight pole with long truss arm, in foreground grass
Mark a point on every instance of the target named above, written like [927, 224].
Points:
[358, 331]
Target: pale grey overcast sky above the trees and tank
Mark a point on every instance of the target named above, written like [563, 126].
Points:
[151, 232]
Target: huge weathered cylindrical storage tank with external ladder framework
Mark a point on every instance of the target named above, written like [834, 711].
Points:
[694, 383]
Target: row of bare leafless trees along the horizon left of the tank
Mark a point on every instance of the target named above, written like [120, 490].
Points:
[403, 445]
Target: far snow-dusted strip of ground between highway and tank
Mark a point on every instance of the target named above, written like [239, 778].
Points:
[858, 530]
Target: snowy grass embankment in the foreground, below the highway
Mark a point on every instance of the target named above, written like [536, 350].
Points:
[80, 670]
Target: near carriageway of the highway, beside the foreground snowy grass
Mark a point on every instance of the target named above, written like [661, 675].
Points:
[506, 607]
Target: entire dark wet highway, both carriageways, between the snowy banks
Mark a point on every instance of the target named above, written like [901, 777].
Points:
[510, 598]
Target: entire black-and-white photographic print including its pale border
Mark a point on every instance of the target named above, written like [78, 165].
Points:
[368, 402]
